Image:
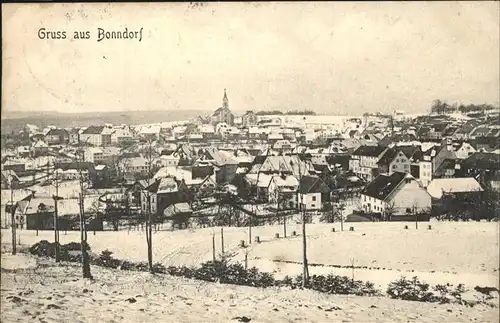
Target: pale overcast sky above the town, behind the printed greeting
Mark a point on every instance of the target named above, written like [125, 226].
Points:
[333, 58]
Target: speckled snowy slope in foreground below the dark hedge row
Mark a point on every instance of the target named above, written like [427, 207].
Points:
[38, 290]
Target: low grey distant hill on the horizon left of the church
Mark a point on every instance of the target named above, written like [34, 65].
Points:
[15, 120]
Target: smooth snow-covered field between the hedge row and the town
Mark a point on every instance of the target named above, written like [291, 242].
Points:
[465, 252]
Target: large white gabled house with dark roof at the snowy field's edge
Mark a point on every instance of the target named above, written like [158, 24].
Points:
[395, 194]
